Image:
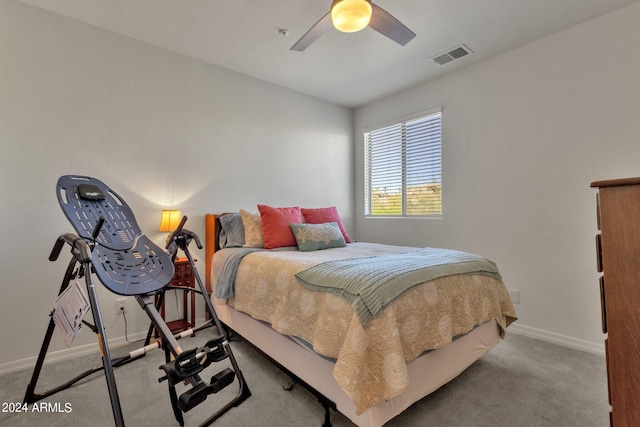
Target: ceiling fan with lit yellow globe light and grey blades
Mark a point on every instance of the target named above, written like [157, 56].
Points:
[350, 16]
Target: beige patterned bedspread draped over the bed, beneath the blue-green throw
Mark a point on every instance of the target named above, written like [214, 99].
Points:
[370, 362]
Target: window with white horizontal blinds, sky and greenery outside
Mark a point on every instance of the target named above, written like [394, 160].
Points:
[403, 168]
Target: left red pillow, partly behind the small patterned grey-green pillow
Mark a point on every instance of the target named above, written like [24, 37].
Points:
[275, 225]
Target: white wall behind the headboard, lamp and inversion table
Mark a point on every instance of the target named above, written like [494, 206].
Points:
[161, 129]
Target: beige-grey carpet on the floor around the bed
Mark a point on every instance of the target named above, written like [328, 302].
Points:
[521, 382]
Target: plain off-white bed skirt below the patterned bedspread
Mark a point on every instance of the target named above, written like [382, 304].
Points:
[427, 373]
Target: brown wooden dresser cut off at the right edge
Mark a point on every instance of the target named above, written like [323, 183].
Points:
[618, 254]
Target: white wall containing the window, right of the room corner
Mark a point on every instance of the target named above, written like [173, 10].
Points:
[524, 135]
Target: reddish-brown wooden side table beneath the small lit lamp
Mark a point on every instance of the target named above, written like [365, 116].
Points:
[182, 281]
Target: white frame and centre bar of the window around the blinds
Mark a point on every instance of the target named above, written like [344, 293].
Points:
[401, 121]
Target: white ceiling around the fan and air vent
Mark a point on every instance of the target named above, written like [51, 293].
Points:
[345, 69]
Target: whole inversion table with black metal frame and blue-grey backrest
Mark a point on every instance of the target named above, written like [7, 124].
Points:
[110, 244]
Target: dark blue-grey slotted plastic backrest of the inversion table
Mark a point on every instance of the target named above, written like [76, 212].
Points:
[126, 261]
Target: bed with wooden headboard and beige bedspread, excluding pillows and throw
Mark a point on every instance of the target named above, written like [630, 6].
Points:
[370, 369]
